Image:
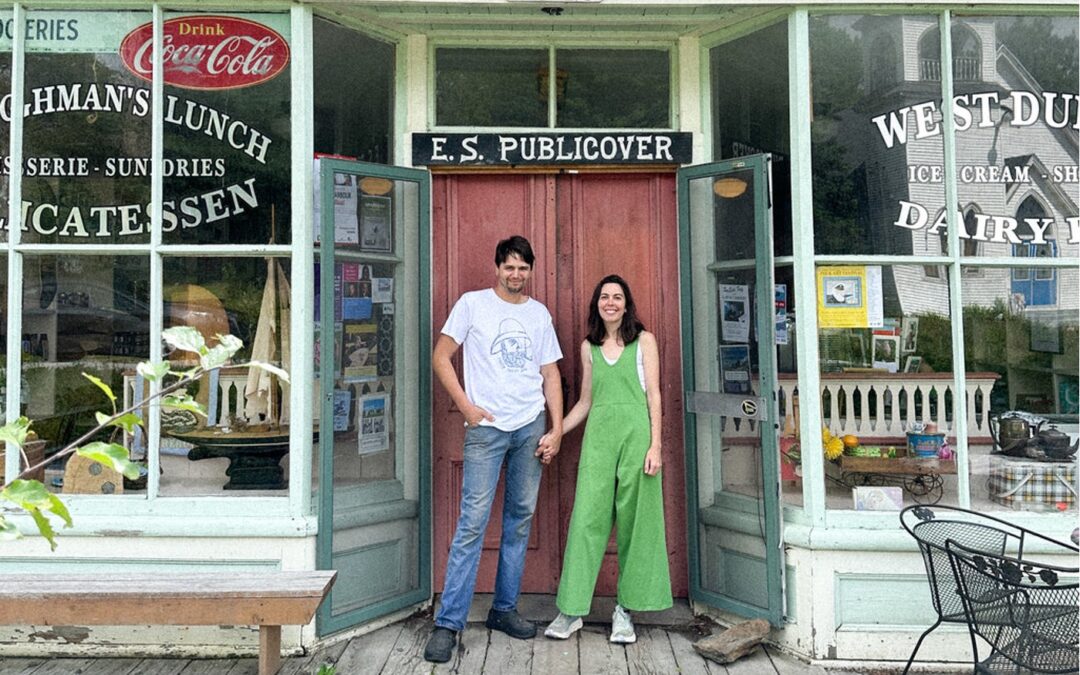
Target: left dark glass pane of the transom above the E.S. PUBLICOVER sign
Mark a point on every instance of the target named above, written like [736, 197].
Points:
[491, 88]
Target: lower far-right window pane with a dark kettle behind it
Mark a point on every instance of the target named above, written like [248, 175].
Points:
[1027, 359]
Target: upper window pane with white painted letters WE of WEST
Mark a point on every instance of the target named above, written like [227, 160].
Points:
[876, 137]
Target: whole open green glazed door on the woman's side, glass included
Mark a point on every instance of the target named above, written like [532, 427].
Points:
[731, 379]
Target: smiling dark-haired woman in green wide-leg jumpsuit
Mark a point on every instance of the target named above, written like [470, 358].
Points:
[619, 471]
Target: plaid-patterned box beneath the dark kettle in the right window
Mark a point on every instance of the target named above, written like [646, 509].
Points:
[1030, 485]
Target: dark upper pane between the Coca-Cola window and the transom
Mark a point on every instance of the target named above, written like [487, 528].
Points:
[355, 126]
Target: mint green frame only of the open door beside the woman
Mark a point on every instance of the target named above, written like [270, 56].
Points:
[774, 564]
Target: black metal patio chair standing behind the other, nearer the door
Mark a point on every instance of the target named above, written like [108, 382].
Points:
[933, 528]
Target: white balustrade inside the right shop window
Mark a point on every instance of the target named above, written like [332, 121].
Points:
[885, 404]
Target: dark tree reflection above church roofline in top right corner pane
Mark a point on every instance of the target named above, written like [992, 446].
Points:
[1052, 59]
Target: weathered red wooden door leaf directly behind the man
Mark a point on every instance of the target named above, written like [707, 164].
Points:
[472, 213]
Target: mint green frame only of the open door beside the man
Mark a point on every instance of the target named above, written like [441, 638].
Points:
[382, 502]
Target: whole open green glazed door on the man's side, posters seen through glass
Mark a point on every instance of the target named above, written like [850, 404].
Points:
[373, 348]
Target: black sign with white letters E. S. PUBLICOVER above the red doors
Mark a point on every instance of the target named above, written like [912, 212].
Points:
[547, 150]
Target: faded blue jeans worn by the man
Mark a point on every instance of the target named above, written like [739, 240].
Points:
[485, 452]
